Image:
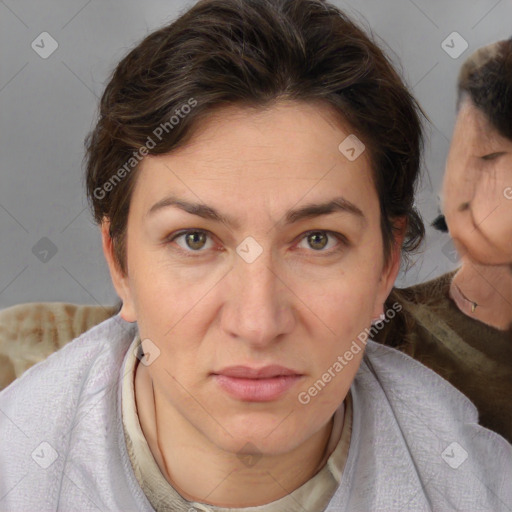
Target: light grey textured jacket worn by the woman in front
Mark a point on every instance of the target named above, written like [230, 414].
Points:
[415, 446]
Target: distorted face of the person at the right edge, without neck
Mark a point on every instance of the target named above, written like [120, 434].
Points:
[477, 189]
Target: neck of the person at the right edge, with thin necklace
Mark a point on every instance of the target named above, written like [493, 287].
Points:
[484, 292]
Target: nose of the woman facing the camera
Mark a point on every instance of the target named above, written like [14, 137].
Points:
[258, 309]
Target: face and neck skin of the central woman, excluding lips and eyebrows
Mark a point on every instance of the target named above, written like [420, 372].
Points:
[295, 305]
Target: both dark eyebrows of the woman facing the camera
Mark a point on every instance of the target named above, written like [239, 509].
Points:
[311, 210]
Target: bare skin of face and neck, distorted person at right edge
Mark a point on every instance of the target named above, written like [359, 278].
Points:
[477, 203]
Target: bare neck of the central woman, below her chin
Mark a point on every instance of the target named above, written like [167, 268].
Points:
[201, 471]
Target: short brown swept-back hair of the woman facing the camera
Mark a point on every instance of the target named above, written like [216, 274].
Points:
[253, 53]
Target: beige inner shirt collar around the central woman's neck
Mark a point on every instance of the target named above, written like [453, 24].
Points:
[312, 496]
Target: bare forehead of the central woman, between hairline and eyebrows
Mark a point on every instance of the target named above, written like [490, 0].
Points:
[294, 147]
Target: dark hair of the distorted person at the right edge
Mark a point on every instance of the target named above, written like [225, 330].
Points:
[486, 78]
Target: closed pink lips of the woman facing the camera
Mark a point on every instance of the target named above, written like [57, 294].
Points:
[257, 385]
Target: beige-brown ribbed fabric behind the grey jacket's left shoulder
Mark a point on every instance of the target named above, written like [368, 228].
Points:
[30, 332]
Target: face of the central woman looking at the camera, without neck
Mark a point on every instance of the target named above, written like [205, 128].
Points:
[256, 244]
